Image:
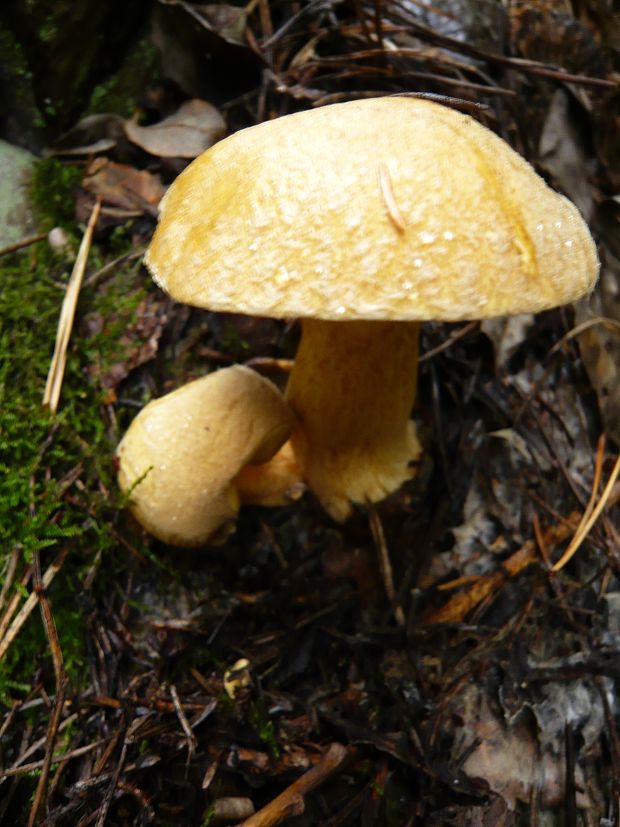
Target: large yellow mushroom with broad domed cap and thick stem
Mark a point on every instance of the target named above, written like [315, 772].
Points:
[364, 219]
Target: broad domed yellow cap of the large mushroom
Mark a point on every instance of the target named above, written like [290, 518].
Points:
[384, 208]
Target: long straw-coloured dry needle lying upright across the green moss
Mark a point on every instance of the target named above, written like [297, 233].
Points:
[67, 314]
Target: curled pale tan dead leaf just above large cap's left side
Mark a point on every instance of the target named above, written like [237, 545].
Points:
[194, 127]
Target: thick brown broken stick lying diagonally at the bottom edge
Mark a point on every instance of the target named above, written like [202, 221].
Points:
[291, 801]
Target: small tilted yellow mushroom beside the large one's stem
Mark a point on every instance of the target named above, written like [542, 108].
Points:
[184, 458]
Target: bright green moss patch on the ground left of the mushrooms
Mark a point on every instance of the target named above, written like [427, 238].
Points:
[57, 480]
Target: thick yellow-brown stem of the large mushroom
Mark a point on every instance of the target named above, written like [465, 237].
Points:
[352, 389]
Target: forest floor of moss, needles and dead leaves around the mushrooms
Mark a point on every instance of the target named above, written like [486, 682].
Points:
[276, 678]
